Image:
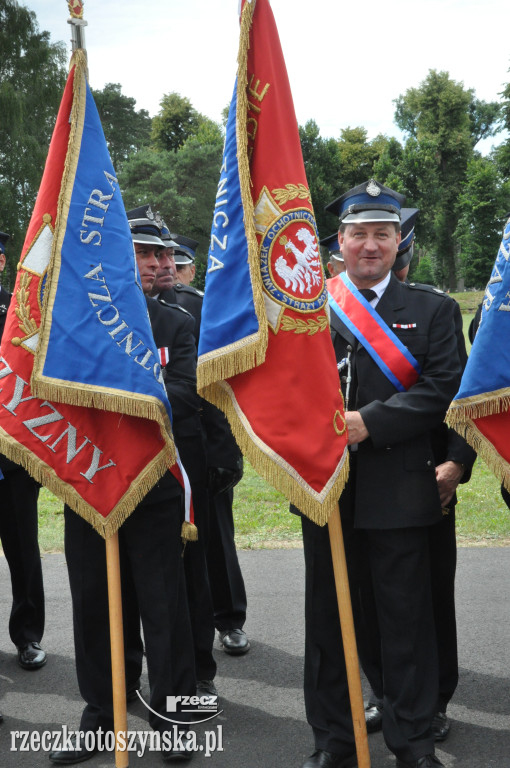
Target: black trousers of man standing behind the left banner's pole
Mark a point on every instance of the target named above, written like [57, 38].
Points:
[151, 565]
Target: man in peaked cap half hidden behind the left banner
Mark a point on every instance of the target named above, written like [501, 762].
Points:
[151, 550]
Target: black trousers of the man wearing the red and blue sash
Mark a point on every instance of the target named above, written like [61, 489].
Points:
[389, 573]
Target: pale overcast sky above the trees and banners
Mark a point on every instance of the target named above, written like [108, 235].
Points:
[346, 61]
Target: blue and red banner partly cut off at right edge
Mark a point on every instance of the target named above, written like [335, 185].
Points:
[480, 411]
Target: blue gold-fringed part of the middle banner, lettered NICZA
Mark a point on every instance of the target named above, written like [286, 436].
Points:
[232, 327]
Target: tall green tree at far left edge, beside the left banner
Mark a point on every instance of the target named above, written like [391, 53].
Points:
[32, 79]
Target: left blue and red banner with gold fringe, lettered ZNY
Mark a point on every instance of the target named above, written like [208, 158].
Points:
[84, 407]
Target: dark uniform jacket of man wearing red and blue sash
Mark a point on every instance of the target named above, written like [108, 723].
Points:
[395, 478]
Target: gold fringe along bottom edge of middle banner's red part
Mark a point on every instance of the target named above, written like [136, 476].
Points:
[316, 506]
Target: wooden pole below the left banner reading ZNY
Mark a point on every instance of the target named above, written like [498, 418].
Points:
[117, 647]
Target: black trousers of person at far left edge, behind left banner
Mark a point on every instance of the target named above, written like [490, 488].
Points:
[19, 534]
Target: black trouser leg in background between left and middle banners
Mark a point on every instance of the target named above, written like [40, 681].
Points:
[225, 576]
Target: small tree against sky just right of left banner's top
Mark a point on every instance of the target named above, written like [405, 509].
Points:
[126, 129]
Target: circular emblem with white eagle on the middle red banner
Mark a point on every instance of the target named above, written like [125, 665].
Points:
[290, 262]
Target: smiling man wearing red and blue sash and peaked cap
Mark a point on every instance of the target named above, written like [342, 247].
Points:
[391, 498]
